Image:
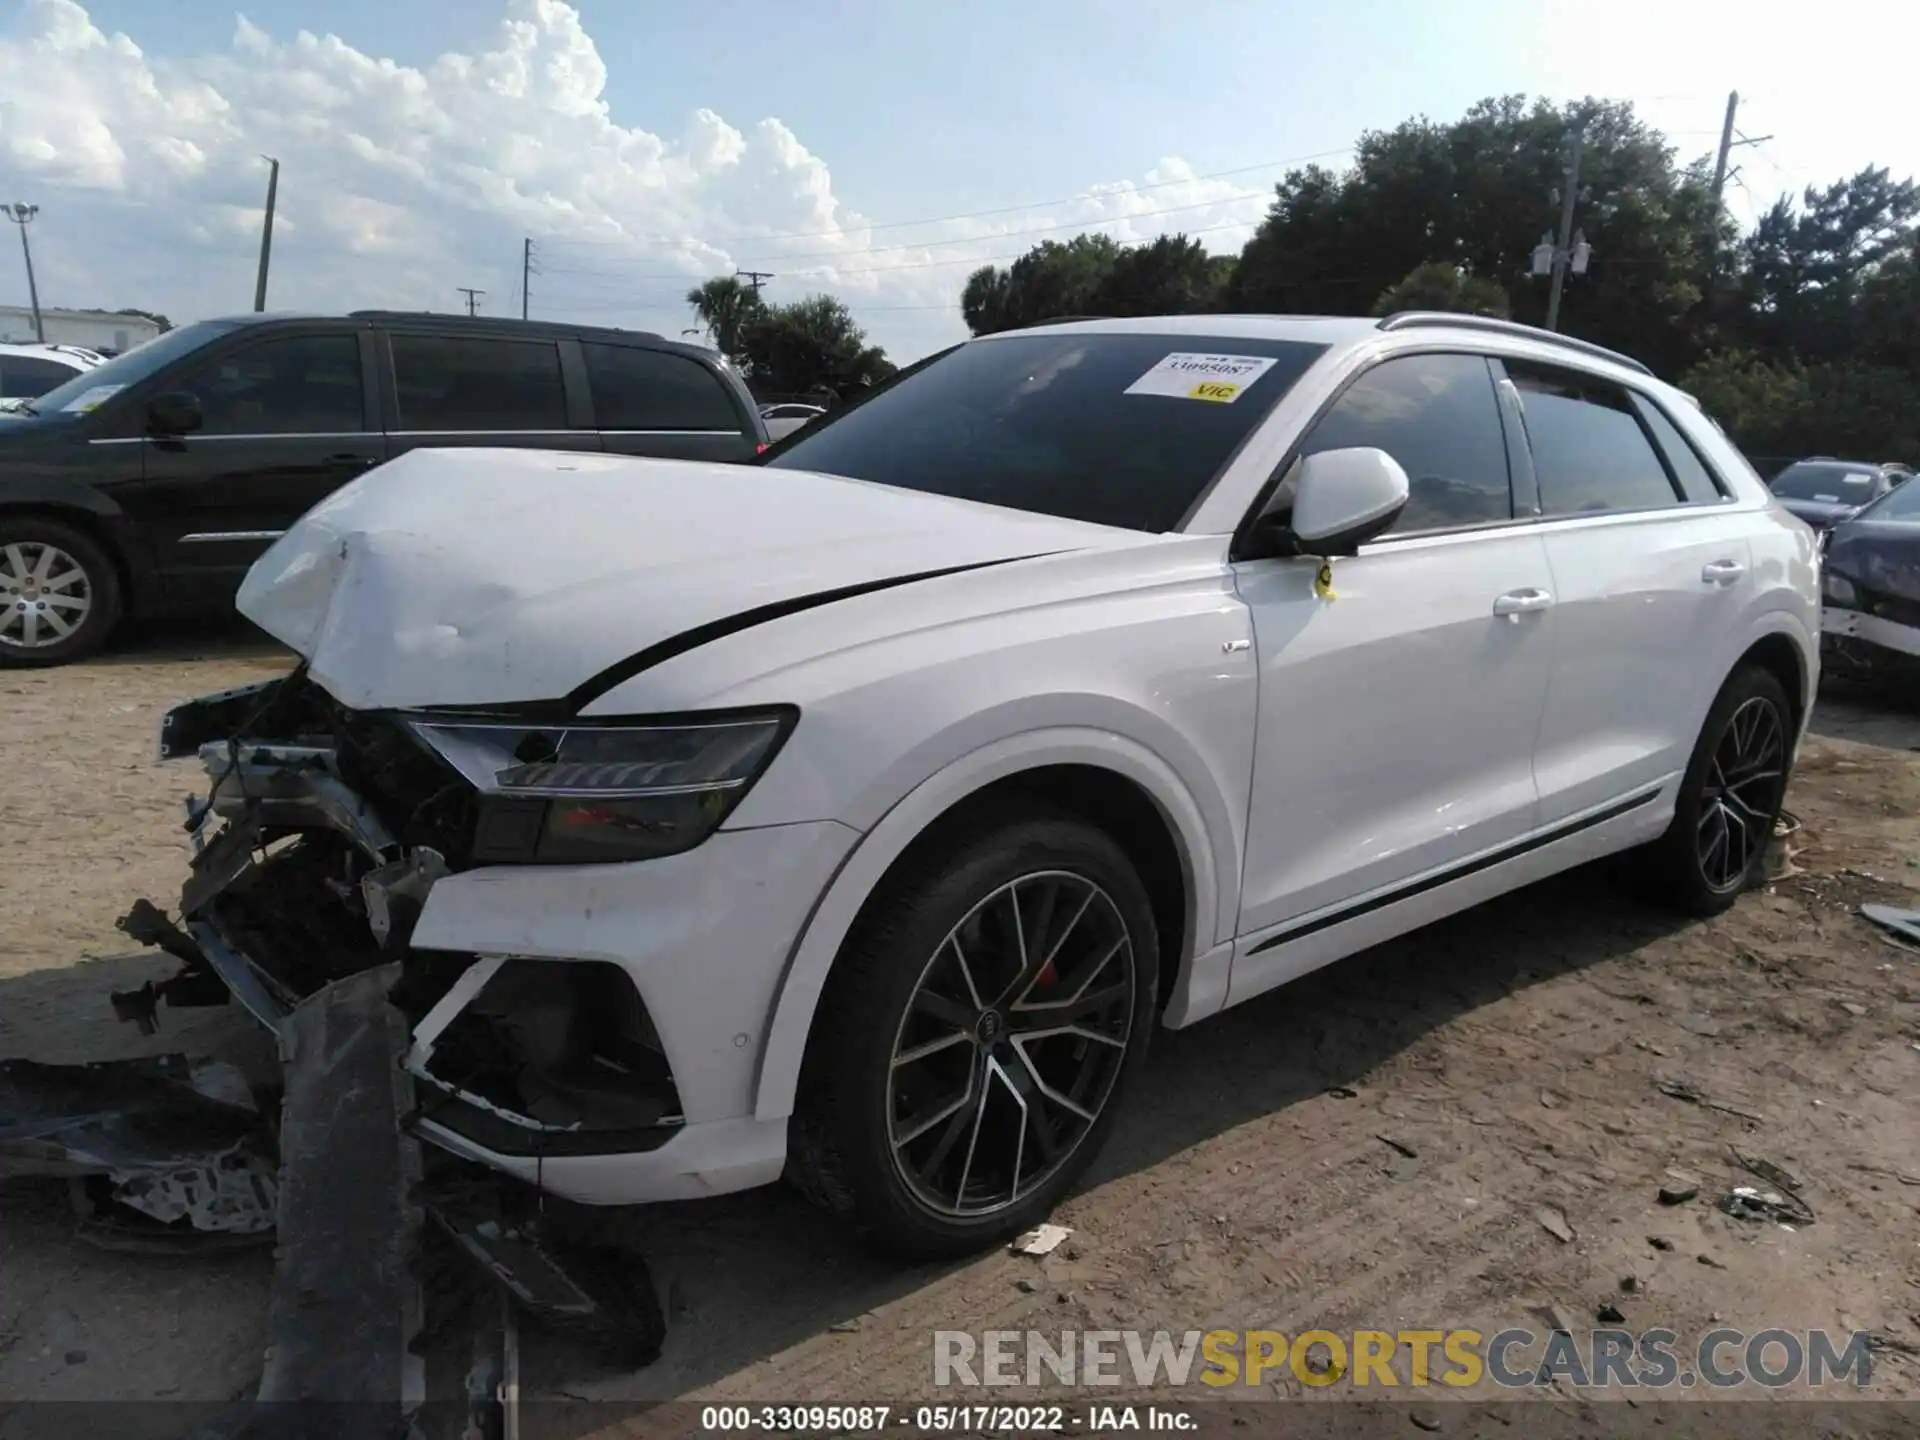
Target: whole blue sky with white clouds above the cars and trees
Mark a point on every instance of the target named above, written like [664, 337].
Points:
[873, 151]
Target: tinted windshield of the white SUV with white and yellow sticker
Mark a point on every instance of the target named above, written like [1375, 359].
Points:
[1115, 429]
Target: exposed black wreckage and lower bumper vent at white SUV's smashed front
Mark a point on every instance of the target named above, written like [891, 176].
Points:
[329, 832]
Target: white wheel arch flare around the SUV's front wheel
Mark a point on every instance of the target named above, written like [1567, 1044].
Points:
[821, 942]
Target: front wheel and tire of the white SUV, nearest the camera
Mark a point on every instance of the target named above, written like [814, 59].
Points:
[976, 1034]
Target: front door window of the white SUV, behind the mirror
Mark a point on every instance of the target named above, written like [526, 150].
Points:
[1441, 420]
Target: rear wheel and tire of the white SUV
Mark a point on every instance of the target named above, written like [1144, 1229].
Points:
[1729, 800]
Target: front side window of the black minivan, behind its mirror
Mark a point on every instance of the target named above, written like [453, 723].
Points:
[299, 385]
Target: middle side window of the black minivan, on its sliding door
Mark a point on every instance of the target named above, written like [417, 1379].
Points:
[454, 383]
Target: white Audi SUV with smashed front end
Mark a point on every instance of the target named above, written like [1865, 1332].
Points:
[857, 815]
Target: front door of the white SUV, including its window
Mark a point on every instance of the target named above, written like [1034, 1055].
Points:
[1399, 715]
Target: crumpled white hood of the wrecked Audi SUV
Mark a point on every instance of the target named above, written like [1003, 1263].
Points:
[489, 577]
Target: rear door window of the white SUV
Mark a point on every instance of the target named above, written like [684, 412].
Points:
[1591, 450]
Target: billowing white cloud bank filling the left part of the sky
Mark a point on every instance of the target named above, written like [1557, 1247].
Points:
[400, 183]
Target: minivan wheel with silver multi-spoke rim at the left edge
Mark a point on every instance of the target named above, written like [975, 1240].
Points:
[59, 592]
